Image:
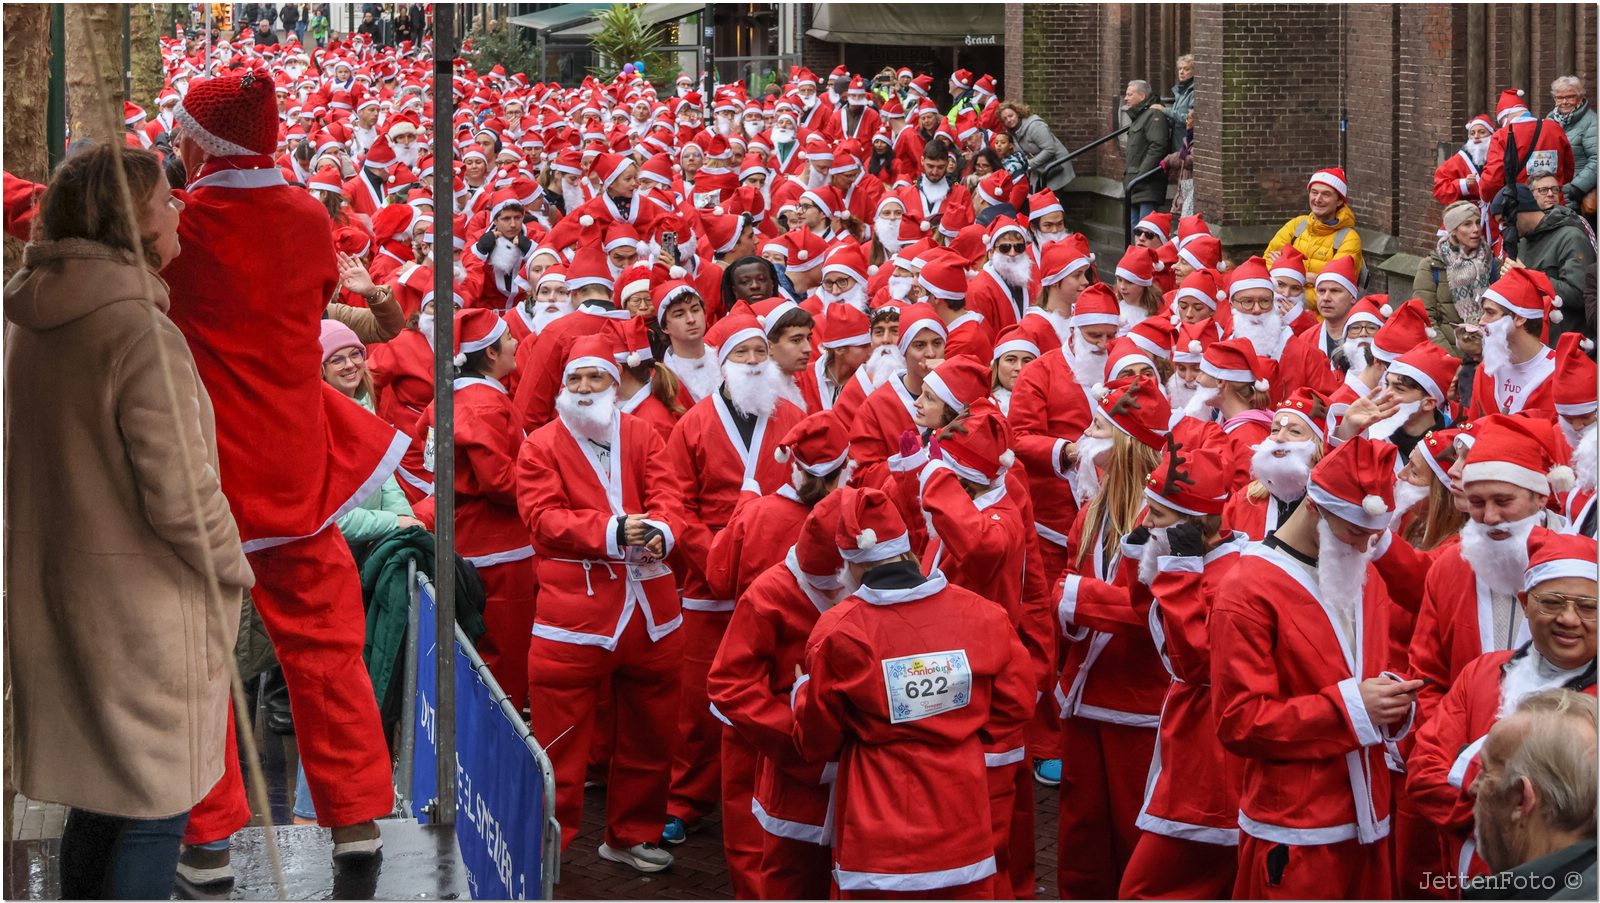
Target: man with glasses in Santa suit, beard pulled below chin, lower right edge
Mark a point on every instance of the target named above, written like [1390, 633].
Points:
[1559, 601]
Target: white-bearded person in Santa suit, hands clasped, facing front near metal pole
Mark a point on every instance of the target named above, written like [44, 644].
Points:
[596, 494]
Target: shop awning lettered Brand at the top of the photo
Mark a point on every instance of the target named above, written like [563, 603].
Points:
[916, 25]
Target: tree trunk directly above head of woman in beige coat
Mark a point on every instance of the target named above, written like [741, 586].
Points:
[95, 73]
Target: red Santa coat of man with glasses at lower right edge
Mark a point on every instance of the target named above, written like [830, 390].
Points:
[1444, 763]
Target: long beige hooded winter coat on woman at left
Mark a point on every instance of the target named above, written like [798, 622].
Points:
[119, 665]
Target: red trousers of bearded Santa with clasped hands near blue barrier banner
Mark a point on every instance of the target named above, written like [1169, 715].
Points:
[564, 681]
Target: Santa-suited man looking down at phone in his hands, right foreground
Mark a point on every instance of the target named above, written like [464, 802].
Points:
[1303, 692]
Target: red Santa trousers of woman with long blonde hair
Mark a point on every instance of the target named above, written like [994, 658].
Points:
[1103, 773]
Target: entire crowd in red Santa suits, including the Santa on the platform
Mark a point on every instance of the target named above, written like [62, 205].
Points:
[814, 488]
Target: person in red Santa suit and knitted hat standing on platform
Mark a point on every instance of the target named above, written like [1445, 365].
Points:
[284, 475]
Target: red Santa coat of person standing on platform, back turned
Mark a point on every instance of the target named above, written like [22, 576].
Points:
[274, 414]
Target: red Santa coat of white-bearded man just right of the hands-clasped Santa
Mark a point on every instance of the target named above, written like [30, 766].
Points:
[713, 467]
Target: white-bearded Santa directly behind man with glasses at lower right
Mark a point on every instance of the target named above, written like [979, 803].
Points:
[1470, 598]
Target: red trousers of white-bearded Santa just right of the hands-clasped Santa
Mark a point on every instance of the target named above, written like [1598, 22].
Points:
[697, 769]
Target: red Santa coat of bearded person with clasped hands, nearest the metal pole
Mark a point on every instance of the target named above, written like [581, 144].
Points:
[570, 505]
